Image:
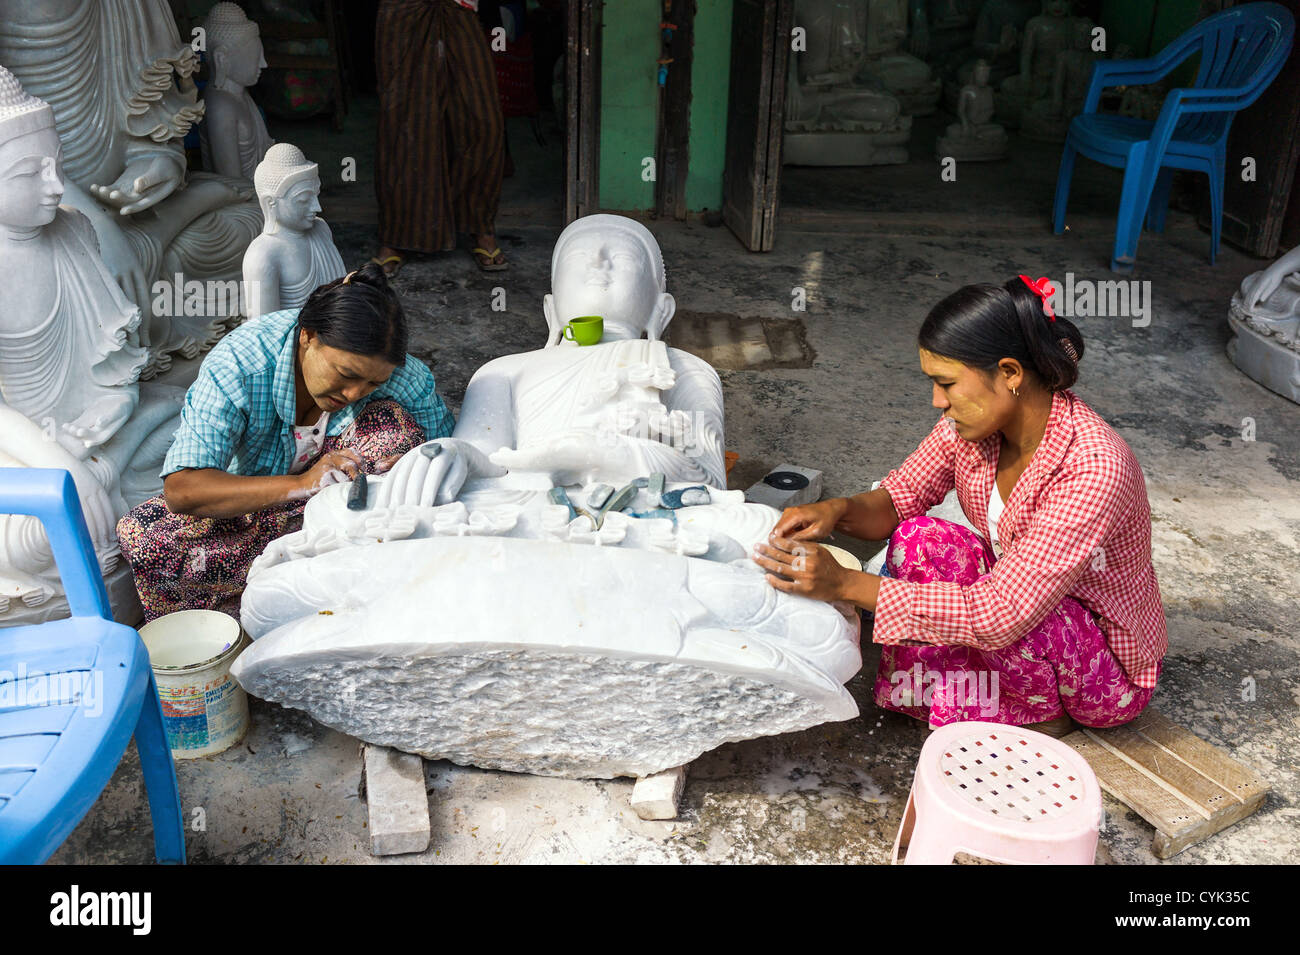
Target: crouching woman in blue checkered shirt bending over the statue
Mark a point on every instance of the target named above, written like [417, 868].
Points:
[284, 406]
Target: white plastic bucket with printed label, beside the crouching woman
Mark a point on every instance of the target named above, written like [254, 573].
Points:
[205, 710]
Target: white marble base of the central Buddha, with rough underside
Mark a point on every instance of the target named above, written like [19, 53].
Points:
[500, 633]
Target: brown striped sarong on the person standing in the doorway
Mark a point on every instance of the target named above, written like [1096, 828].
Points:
[440, 150]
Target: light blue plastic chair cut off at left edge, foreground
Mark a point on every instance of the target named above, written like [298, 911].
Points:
[72, 694]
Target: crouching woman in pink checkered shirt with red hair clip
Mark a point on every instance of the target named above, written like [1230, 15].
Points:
[1050, 611]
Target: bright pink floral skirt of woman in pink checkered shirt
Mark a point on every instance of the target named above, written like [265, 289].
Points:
[1061, 667]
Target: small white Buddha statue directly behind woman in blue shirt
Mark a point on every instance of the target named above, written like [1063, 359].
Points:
[296, 251]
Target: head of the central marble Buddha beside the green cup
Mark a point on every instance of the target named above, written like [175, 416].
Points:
[612, 267]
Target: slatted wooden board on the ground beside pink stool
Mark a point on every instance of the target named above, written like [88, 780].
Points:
[1186, 788]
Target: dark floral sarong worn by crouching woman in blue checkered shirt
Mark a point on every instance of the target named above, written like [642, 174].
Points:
[185, 563]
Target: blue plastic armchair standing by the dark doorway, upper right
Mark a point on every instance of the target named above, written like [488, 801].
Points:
[1242, 51]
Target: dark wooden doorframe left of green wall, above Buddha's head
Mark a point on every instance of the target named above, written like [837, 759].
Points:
[583, 108]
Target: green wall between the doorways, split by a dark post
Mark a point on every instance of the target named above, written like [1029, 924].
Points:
[630, 102]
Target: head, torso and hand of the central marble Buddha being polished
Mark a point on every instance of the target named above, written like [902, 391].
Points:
[567, 414]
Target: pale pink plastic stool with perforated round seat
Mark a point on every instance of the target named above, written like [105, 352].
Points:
[1000, 793]
